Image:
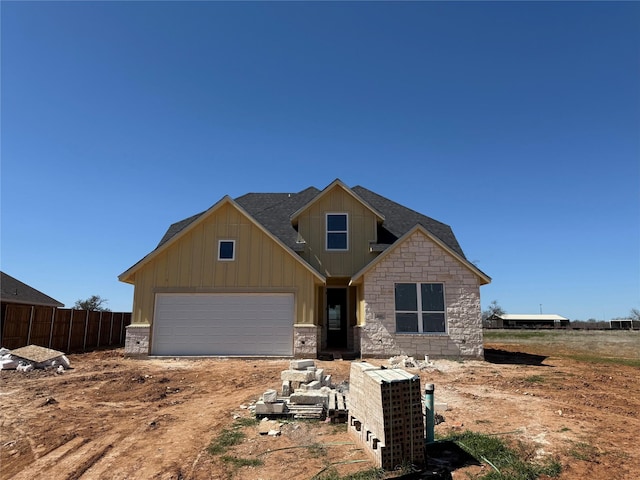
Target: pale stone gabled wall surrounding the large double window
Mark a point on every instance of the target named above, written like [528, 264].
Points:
[419, 259]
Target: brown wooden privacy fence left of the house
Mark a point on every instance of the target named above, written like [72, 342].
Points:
[62, 329]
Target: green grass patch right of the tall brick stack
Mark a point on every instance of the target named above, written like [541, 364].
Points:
[507, 462]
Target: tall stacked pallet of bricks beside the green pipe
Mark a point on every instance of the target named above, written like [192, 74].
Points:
[385, 415]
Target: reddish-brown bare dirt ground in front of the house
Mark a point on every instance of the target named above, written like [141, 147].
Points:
[112, 417]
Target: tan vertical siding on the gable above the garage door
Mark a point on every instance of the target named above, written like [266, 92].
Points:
[191, 264]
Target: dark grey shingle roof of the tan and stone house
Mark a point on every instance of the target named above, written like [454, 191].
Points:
[275, 210]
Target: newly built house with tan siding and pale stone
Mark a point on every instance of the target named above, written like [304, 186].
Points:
[299, 274]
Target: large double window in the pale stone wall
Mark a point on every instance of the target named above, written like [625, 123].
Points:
[420, 308]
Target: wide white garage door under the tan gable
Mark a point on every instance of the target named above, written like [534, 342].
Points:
[223, 324]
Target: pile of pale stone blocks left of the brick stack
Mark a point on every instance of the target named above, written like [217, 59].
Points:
[306, 393]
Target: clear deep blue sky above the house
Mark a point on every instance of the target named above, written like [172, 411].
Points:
[517, 123]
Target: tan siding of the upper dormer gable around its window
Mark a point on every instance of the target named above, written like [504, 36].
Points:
[362, 230]
